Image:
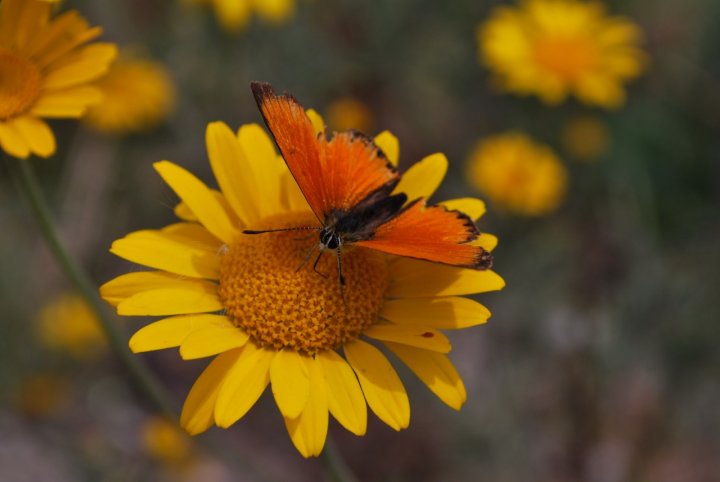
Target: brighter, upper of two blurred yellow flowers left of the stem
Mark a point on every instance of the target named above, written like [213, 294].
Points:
[69, 325]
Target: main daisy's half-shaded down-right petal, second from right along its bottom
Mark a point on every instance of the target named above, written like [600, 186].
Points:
[381, 385]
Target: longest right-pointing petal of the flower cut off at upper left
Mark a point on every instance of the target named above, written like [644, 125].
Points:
[84, 66]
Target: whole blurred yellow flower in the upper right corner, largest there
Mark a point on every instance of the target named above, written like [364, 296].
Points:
[555, 48]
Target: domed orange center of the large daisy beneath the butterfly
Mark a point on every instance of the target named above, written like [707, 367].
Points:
[282, 305]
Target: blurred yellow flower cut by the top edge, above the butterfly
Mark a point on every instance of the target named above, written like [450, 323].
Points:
[233, 15]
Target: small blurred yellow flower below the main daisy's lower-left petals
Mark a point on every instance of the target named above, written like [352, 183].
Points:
[166, 443]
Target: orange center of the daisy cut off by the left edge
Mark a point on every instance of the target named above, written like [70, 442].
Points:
[20, 84]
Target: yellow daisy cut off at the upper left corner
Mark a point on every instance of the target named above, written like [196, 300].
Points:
[45, 71]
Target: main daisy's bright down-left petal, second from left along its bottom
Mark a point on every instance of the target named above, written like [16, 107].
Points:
[244, 384]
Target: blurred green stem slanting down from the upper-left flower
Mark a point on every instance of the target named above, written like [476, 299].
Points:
[24, 177]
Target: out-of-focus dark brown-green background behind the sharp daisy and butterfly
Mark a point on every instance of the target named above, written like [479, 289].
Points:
[600, 362]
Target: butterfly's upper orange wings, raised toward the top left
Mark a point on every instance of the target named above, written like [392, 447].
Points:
[332, 175]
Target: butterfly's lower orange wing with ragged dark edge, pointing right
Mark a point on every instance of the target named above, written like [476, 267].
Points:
[431, 233]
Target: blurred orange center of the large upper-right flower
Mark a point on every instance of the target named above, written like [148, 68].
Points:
[568, 58]
